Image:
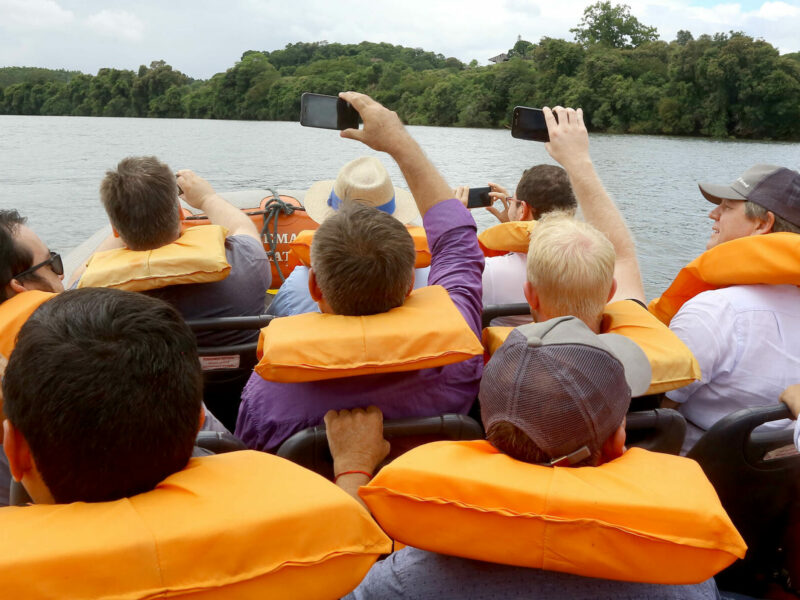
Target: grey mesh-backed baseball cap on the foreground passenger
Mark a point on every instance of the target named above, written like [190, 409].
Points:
[563, 385]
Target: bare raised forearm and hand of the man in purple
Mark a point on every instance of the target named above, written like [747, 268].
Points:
[383, 131]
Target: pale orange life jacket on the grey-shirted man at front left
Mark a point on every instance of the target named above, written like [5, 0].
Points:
[197, 256]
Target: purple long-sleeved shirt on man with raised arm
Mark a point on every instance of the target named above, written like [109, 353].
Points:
[271, 412]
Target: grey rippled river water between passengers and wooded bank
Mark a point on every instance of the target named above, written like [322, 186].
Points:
[51, 167]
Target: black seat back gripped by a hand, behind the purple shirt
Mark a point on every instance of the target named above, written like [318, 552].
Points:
[309, 447]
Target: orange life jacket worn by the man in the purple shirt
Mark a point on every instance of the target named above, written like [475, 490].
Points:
[426, 331]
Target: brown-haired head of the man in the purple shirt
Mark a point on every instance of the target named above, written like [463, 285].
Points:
[363, 260]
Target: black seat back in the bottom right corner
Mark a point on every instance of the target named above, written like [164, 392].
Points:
[758, 492]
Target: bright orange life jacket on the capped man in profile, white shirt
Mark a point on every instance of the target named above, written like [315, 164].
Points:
[773, 258]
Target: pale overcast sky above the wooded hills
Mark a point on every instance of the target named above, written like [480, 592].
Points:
[204, 37]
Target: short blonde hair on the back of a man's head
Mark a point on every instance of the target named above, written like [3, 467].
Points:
[571, 265]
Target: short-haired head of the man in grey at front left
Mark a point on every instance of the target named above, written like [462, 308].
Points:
[140, 197]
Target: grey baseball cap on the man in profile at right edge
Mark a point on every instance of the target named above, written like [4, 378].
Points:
[775, 188]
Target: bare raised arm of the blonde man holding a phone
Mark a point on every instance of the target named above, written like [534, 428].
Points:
[569, 145]
